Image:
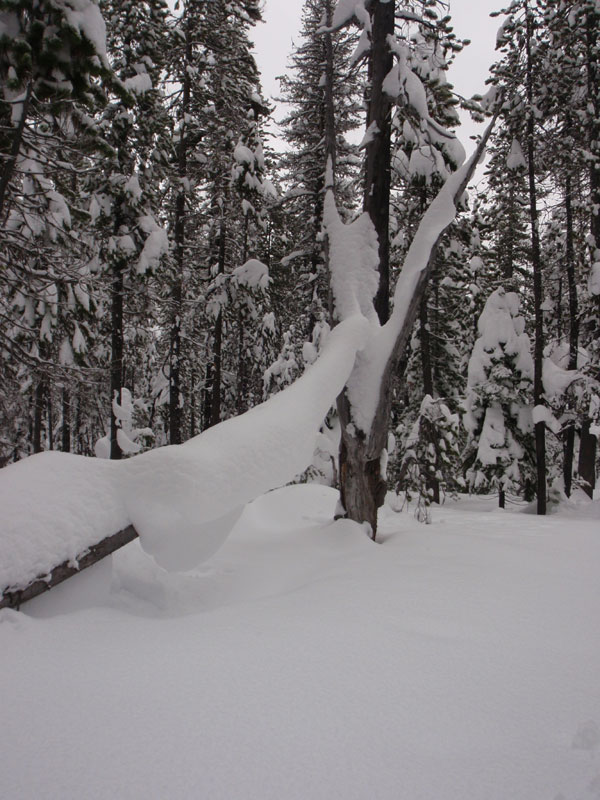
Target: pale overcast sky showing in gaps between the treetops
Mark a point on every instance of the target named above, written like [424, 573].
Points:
[470, 18]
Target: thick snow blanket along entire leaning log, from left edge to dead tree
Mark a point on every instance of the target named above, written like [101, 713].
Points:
[184, 499]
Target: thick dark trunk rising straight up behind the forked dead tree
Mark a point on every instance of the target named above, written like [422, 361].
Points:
[378, 151]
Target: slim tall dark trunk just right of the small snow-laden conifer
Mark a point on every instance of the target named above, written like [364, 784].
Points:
[536, 259]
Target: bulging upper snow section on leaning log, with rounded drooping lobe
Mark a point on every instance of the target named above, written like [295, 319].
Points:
[184, 499]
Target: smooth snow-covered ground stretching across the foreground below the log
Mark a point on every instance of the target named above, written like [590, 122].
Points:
[455, 661]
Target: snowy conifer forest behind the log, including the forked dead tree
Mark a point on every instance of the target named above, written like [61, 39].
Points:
[167, 262]
